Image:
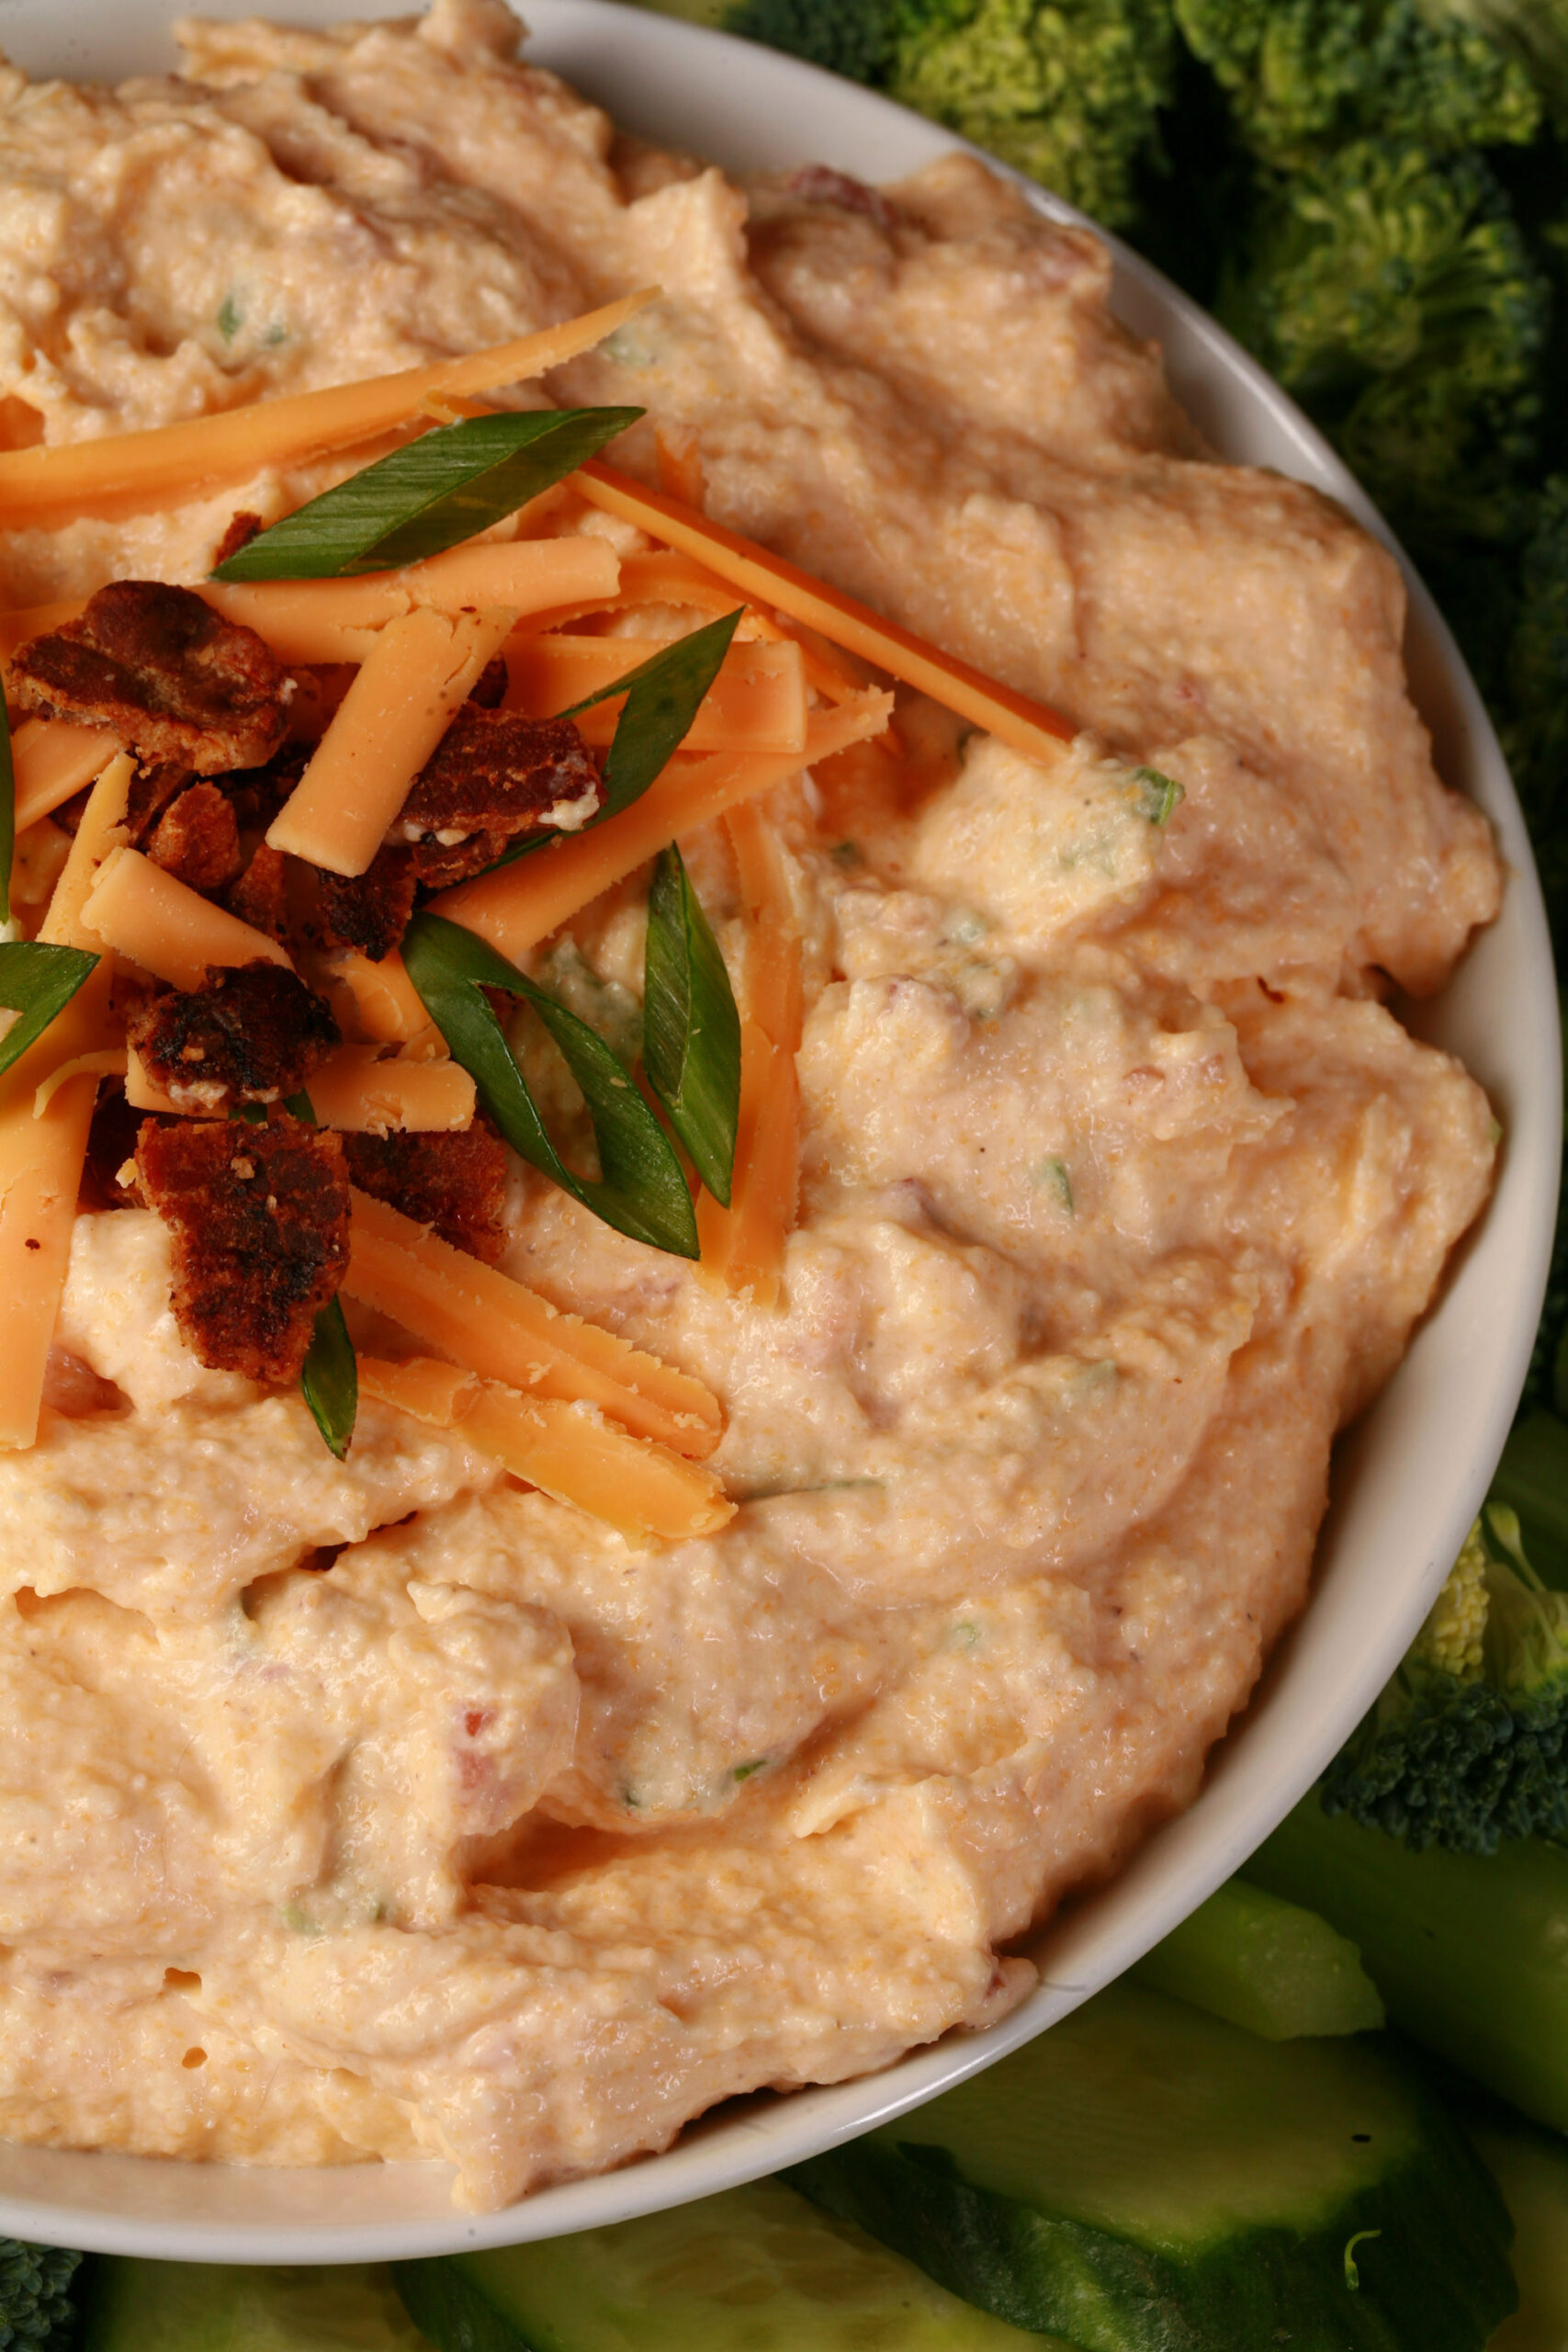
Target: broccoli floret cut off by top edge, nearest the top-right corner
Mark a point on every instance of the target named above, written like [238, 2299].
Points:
[1308, 74]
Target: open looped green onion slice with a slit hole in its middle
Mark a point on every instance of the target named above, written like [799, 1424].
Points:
[641, 1191]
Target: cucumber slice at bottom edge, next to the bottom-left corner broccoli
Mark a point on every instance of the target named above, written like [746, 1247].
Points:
[133, 2306]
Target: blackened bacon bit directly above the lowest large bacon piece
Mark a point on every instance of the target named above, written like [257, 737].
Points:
[248, 1036]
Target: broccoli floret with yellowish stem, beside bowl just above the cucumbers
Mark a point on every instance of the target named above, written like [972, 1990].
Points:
[1470, 1739]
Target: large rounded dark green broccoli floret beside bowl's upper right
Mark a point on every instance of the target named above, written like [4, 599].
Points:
[1395, 298]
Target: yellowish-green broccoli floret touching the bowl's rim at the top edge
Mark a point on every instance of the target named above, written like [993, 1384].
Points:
[1066, 93]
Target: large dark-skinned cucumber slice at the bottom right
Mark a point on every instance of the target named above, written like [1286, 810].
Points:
[1148, 2179]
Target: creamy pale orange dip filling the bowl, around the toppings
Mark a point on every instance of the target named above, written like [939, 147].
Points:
[387, 1808]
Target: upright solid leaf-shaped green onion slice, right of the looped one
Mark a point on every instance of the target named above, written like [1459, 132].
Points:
[690, 1027]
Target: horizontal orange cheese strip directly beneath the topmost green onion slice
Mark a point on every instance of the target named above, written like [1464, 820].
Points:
[337, 620]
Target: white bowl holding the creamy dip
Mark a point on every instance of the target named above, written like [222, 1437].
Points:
[1407, 1481]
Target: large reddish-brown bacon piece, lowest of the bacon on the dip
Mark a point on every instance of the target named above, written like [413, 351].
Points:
[260, 1220]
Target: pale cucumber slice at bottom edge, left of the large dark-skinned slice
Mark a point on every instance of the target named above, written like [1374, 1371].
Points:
[751, 2271]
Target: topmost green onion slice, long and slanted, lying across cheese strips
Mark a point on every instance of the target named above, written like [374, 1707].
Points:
[429, 495]
